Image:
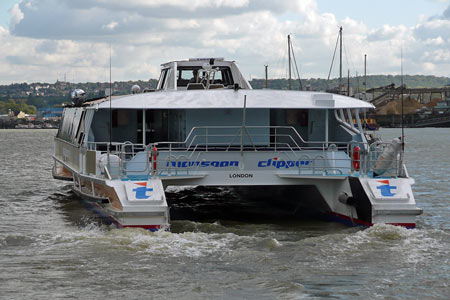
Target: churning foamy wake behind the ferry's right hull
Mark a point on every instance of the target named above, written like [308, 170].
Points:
[391, 245]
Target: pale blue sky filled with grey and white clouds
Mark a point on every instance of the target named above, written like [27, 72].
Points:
[49, 40]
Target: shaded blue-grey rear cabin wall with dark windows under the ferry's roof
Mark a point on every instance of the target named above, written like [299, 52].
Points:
[174, 125]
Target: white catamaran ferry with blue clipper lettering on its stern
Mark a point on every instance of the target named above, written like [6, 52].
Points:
[205, 126]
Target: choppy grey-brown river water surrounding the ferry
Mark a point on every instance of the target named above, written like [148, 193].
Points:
[52, 247]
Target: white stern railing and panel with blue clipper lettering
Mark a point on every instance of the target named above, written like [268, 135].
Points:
[119, 158]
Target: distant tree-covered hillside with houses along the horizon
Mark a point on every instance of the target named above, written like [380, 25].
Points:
[30, 97]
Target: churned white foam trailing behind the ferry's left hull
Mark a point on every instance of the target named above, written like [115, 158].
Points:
[187, 244]
